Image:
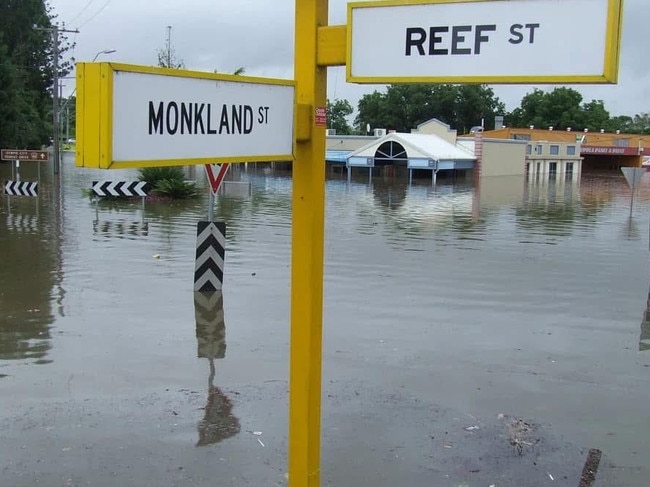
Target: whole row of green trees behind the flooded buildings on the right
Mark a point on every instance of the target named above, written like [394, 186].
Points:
[403, 107]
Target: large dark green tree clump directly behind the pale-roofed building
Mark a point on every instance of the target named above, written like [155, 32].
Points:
[405, 106]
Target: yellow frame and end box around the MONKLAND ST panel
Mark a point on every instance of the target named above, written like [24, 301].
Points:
[94, 146]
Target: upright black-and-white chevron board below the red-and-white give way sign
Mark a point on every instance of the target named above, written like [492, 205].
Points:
[210, 254]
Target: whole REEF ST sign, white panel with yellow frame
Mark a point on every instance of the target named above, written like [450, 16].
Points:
[479, 41]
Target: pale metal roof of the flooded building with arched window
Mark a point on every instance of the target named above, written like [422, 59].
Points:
[419, 145]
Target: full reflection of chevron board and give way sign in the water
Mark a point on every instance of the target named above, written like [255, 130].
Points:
[218, 422]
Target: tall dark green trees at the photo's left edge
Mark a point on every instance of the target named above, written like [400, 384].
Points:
[27, 72]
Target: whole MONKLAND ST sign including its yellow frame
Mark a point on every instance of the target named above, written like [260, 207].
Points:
[139, 116]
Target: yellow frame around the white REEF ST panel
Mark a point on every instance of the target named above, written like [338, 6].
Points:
[611, 62]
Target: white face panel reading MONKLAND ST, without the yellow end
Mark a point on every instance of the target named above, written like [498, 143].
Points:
[162, 117]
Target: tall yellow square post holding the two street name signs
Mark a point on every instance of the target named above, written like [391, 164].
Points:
[307, 250]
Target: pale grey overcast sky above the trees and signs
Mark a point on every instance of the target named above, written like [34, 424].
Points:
[258, 35]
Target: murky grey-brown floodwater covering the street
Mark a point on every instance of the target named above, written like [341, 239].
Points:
[450, 312]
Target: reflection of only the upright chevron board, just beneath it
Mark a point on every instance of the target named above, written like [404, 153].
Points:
[210, 325]
